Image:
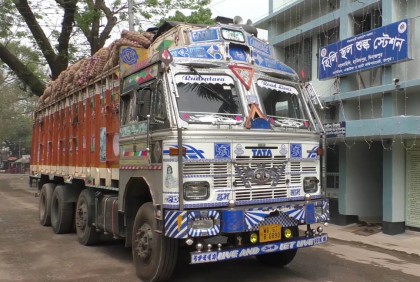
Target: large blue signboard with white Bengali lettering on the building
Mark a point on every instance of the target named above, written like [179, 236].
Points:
[381, 46]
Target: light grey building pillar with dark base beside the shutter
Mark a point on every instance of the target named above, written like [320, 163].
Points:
[394, 190]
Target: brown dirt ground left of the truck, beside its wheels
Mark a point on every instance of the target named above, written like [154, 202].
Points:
[31, 252]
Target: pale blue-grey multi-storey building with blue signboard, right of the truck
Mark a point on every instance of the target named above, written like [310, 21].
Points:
[373, 101]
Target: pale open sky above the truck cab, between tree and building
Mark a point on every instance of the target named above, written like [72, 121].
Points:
[246, 9]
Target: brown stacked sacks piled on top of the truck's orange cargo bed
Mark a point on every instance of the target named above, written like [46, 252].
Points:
[86, 70]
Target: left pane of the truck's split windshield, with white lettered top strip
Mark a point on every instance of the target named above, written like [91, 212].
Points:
[208, 99]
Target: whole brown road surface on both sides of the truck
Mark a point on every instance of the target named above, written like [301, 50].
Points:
[31, 252]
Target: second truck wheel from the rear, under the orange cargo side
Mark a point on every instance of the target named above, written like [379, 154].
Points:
[62, 212]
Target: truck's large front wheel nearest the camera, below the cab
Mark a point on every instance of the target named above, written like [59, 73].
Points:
[154, 255]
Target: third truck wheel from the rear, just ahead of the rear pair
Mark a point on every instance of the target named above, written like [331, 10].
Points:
[85, 215]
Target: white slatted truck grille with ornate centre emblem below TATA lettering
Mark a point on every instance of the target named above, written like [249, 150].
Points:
[252, 178]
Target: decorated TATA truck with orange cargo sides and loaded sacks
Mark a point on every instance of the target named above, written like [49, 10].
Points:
[198, 139]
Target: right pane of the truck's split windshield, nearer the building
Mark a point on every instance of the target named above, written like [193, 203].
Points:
[281, 103]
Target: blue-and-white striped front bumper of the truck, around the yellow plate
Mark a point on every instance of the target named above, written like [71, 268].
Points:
[179, 224]
